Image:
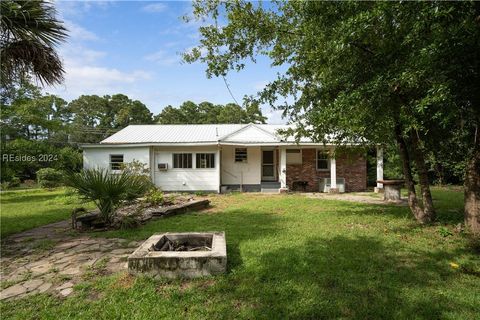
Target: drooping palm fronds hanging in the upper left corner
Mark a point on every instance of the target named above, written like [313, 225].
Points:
[29, 33]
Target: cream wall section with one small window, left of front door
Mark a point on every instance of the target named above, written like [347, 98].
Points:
[241, 173]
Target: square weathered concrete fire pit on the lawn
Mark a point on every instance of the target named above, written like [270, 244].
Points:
[181, 255]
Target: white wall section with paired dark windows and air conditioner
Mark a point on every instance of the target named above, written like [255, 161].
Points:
[185, 179]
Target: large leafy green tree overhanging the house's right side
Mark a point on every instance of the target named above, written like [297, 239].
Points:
[381, 71]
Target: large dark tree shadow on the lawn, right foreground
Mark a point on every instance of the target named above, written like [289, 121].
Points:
[355, 278]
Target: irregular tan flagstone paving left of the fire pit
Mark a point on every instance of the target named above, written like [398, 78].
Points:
[53, 259]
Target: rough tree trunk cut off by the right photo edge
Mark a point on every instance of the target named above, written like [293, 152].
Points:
[472, 189]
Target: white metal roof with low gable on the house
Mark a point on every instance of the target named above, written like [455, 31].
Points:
[198, 133]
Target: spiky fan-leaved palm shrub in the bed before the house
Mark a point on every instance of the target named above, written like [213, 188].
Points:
[108, 190]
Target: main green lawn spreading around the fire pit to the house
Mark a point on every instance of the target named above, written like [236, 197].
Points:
[293, 257]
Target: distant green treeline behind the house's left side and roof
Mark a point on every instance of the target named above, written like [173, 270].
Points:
[42, 130]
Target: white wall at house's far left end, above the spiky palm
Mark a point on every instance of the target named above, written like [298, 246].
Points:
[100, 157]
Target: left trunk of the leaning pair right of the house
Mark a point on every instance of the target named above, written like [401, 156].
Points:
[407, 172]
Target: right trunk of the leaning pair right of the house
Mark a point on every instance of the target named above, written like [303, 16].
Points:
[418, 155]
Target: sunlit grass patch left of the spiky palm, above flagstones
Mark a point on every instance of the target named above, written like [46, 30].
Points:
[26, 209]
